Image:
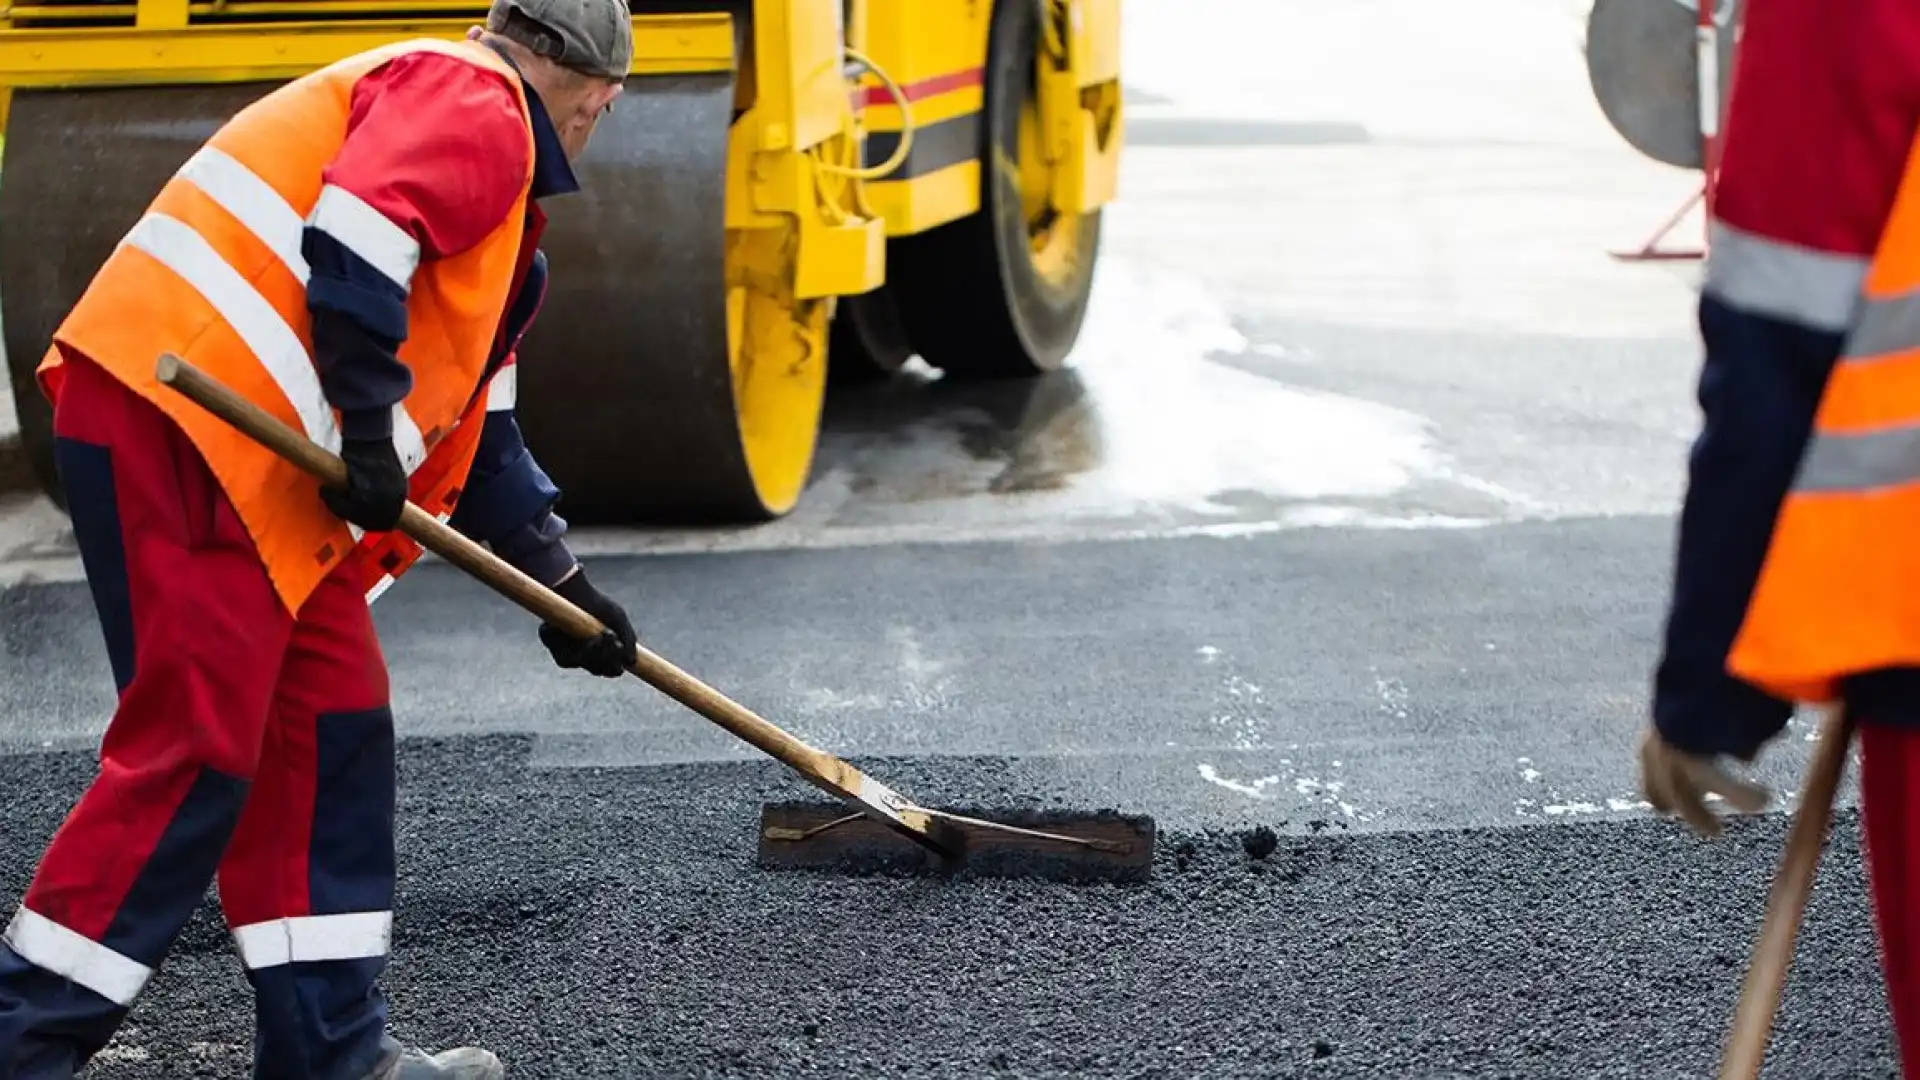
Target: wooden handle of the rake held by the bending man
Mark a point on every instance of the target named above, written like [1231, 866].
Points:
[450, 545]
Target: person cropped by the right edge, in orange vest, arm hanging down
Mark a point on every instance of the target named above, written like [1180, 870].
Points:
[1798, 574]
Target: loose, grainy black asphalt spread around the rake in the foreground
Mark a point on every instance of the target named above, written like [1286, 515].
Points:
[613, 923]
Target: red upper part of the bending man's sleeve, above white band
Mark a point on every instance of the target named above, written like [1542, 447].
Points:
[439, 147]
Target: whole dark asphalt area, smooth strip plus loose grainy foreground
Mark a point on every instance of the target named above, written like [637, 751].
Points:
[585, 900]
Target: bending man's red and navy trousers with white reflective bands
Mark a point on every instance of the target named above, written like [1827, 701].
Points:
[247, 747]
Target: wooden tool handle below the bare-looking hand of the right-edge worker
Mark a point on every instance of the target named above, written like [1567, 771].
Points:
[1787, 900]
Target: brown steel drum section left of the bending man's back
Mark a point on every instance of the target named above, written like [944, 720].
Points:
[82, 166]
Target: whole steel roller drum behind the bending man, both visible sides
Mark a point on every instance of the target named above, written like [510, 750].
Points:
[669, 378]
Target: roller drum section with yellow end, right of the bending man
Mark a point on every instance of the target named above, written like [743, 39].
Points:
[671, 378]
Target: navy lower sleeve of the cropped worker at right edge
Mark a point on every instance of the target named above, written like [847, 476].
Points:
[1760, 389]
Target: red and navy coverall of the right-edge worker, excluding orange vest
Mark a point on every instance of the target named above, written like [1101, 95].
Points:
[1819, 132]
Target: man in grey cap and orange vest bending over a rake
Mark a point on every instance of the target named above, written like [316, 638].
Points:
[383, 210]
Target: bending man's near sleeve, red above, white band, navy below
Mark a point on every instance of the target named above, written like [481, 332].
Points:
[435, 159]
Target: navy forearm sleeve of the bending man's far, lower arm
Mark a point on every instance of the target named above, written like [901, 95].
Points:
[508, 504]
